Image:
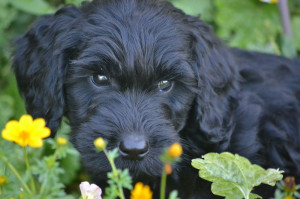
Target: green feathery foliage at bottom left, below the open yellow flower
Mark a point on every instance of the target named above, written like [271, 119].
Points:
[52, 166]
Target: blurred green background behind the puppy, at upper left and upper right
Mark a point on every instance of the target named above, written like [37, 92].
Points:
[248, 24]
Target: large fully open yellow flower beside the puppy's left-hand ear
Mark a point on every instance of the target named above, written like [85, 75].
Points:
[26, 131]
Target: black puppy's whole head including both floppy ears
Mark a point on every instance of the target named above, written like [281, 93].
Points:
[132, 72]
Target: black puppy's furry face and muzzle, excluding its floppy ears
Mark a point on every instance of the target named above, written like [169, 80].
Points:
[133, 85]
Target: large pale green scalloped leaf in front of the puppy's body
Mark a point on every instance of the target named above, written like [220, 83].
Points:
[234, 176]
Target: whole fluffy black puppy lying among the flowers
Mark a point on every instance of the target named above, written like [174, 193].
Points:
[143, 75]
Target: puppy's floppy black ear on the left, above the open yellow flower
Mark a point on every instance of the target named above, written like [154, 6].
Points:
[40, 63]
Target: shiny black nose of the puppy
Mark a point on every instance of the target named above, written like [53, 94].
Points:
[133, 147]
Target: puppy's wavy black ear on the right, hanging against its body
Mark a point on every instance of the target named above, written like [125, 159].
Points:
[217, 75]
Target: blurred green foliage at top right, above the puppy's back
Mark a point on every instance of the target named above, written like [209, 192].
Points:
[248, 24]
